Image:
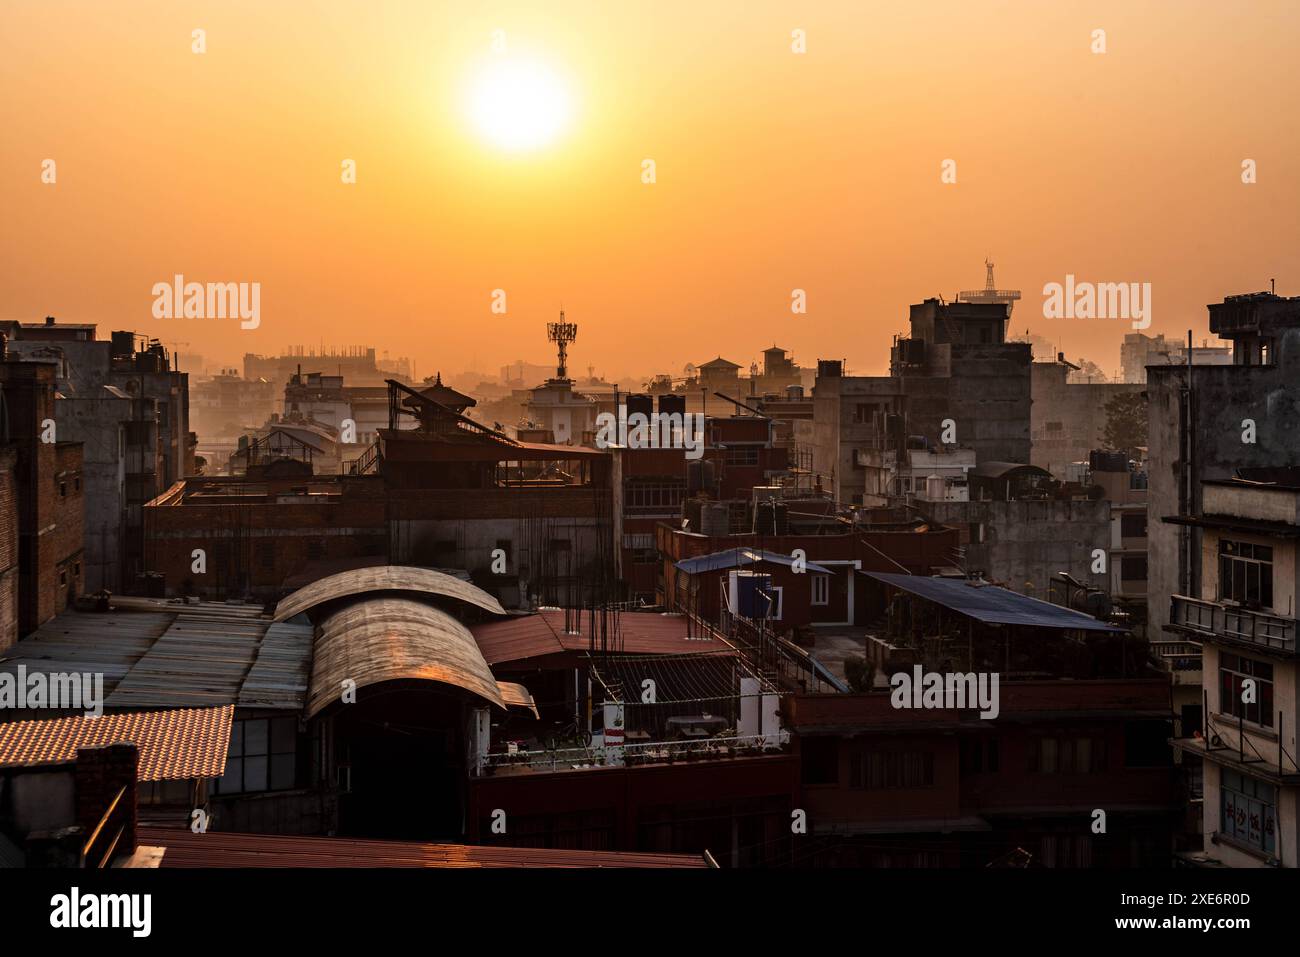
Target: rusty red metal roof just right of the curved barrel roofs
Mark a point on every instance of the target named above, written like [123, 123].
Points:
[543, 634]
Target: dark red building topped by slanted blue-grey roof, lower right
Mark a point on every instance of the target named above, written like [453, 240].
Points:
[1082, 724]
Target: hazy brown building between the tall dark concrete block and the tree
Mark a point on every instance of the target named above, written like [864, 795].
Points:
[1068, 419]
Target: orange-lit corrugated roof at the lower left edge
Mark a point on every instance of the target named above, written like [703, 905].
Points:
[174, 746]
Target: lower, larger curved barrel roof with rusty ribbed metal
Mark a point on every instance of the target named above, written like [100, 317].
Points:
[396, 639]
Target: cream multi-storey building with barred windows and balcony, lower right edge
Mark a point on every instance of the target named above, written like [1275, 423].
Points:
[1242, 612]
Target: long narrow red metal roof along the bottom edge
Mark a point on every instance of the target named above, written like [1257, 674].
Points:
[220, 850]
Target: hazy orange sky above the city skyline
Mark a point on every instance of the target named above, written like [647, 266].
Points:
[775, 171]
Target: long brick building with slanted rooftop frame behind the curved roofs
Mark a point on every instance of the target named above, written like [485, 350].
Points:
[448, 493]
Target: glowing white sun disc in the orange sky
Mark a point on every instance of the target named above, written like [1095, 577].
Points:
[519, 105]
